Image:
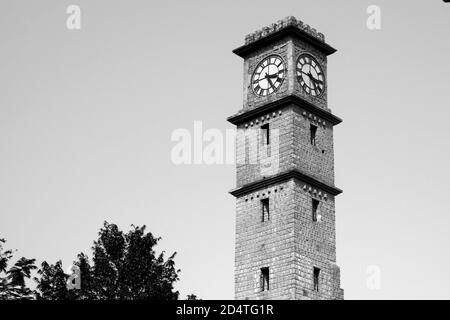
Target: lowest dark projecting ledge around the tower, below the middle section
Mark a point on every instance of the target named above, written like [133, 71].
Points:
[293, 174]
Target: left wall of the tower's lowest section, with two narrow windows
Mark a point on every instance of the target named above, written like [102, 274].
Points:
[265, 244]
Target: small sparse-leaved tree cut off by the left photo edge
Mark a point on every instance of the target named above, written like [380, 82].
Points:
[13, 284]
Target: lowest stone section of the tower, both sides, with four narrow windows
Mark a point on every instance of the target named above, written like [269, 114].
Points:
[289, 243]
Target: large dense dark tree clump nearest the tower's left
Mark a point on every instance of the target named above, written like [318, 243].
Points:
[124, 266]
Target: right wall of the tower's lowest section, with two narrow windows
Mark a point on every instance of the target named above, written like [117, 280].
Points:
[315, 243]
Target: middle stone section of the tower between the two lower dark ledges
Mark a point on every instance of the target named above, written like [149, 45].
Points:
[294, 147]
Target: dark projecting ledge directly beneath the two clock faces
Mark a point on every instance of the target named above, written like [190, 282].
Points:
[276, 105]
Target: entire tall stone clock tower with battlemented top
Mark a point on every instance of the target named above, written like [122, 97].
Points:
[285, 193]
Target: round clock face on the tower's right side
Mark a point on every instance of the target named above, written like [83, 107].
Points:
[310, 75]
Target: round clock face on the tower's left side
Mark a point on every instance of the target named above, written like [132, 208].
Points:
[268, 76]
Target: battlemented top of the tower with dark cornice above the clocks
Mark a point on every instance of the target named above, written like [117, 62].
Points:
[286, 27]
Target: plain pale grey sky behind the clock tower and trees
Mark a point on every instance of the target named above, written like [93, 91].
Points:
[86, 118]
